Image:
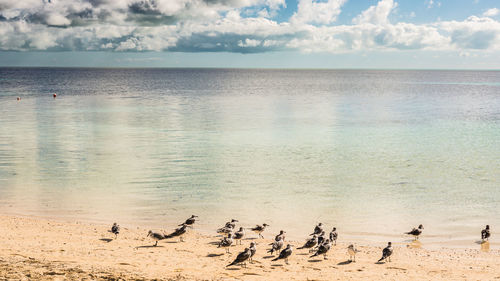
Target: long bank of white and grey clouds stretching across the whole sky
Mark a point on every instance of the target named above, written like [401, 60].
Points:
[223, 25]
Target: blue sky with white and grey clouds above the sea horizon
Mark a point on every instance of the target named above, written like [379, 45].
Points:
[404, 34]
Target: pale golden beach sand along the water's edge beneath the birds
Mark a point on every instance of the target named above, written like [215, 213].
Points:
[41, 249]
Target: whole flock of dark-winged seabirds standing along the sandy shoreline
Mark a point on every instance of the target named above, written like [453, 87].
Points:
[318, 244]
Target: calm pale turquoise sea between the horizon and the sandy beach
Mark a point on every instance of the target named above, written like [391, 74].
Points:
[372, 152]
